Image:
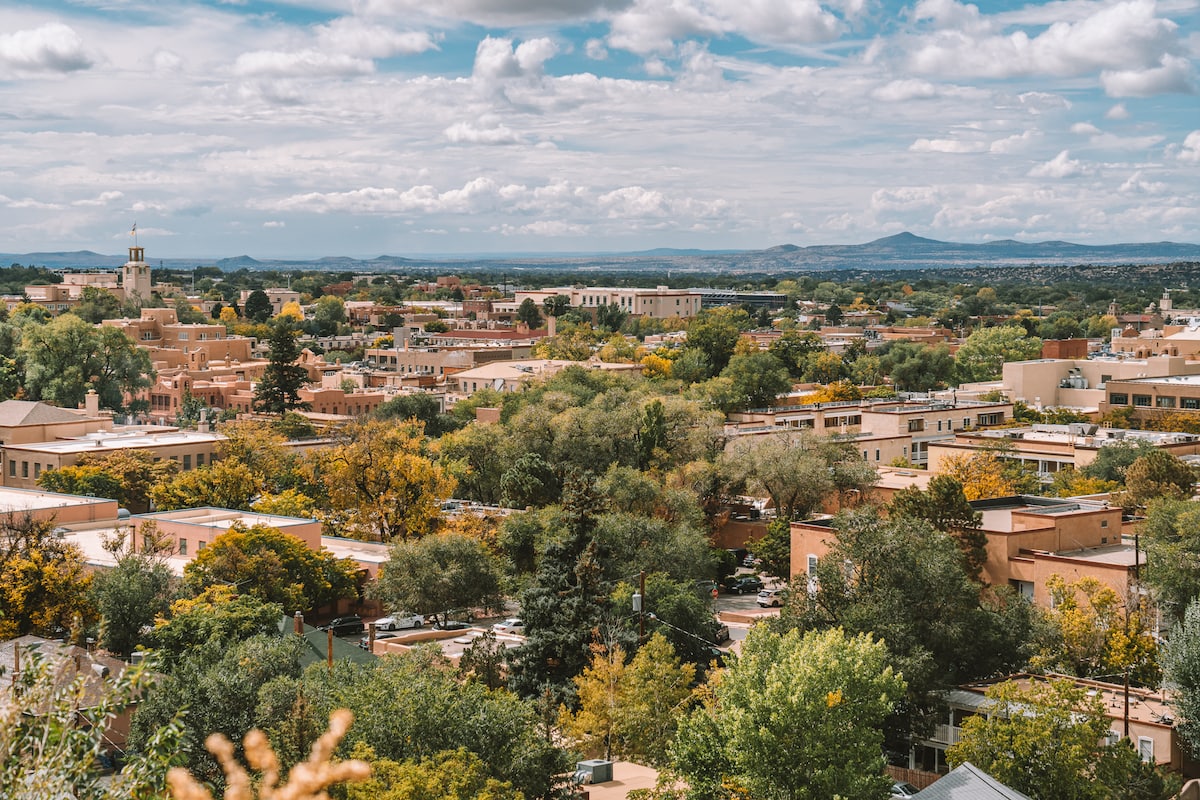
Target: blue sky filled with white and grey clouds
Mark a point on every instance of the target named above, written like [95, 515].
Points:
[362, 128]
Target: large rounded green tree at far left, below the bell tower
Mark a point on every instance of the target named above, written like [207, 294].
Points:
[68, 357]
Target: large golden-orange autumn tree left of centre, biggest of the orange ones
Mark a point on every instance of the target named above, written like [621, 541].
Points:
[381, 483]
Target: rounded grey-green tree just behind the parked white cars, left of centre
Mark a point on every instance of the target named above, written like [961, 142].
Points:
[439, 574]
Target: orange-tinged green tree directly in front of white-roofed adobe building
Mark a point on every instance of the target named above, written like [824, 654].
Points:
[273, 567]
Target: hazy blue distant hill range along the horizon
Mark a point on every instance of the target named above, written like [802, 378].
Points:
[899, 252]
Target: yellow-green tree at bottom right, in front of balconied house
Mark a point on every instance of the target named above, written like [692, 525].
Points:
[1047, 739]
